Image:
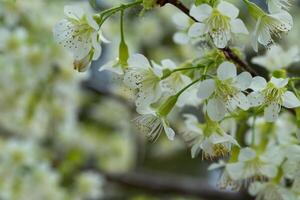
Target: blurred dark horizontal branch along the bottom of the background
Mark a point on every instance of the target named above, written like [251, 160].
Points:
[164, 184]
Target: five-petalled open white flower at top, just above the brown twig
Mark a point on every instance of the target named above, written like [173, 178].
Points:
[220, 22]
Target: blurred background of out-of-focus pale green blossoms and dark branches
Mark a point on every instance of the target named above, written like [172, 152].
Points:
[66, 135]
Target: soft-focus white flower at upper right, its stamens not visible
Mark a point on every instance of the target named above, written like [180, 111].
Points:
[276, 58]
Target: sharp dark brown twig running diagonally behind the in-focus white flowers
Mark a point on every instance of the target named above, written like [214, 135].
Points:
[229, 54]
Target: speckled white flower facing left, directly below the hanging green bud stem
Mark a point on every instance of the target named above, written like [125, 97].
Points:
[145, 77]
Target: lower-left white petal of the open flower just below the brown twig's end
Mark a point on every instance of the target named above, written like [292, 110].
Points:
[216, 109]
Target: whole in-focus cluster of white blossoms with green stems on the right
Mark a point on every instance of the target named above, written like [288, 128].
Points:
[249, 120]
